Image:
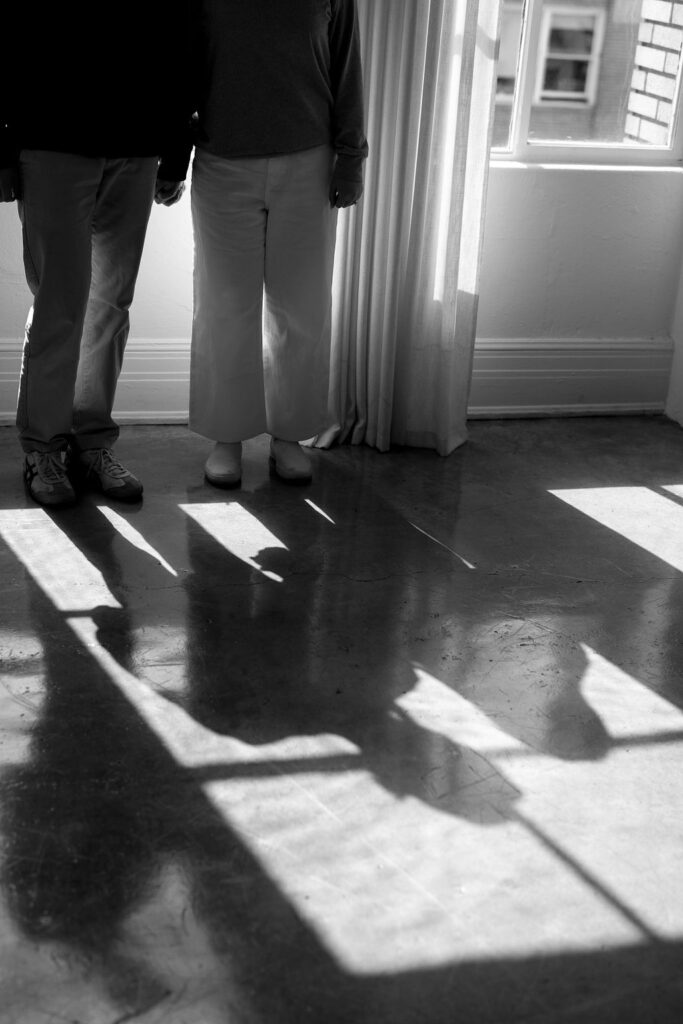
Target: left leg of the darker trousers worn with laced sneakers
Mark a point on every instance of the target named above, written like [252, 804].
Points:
[59, 200]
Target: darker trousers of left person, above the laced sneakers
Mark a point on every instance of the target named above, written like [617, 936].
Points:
[84, 222]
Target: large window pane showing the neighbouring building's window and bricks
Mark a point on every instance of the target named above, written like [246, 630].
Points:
[622, 86]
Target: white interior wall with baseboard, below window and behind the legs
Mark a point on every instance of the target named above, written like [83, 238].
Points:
[581, 273]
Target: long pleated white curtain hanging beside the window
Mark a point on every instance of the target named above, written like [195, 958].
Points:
[408, 258]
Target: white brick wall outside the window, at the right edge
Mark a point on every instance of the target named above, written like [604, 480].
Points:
[656, 70]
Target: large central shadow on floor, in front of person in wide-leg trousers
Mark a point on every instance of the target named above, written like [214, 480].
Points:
[304, 644]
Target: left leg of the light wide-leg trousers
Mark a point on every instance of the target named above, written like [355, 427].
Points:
[227, 392]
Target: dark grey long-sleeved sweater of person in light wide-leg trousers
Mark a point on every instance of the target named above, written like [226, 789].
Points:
[279, 76]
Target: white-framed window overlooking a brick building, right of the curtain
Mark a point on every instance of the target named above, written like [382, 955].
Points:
[581, 74]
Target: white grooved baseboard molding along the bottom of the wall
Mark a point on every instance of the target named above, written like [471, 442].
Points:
[519, 377]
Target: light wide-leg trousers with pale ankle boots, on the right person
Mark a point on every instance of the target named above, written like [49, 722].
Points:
[265, 239]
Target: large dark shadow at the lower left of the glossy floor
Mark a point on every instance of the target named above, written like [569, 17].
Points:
[83, 835]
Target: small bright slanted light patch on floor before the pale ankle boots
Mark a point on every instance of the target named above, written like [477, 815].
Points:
[237, 531]
